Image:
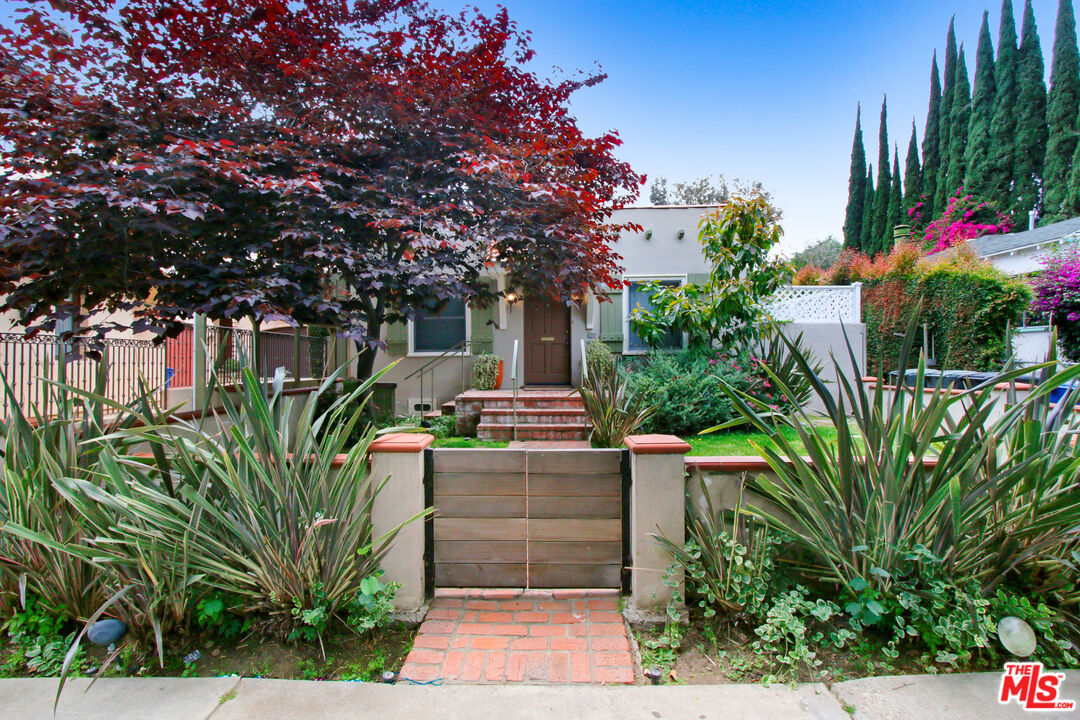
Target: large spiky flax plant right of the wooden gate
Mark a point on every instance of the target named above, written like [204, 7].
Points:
[1001, 497]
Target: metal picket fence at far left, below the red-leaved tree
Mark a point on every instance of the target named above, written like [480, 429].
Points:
[29, 364]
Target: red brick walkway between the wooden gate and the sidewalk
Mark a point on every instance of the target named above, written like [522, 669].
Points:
[522, 636]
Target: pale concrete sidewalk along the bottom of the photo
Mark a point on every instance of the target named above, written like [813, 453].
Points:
[913, 698]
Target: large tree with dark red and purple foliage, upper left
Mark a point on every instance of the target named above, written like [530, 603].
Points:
[344, 165]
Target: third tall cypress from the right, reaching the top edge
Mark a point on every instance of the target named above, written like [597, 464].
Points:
[1004, 118]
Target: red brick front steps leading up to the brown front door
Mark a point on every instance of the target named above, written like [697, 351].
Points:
[542, 415]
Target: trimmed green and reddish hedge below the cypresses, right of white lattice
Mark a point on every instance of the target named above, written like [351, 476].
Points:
[968, 308]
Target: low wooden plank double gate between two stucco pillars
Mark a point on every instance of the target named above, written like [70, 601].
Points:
[528, 519]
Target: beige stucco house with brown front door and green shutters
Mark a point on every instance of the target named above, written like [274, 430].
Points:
[435, 351]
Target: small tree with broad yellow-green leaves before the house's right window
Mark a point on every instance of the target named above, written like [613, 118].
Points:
[736, 240]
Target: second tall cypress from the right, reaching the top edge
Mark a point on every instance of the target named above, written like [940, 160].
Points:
[1031, 121]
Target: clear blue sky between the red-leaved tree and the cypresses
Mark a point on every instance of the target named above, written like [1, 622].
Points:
[761, 90]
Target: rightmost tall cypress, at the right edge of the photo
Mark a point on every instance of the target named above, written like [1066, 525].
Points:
[1062, 111]
